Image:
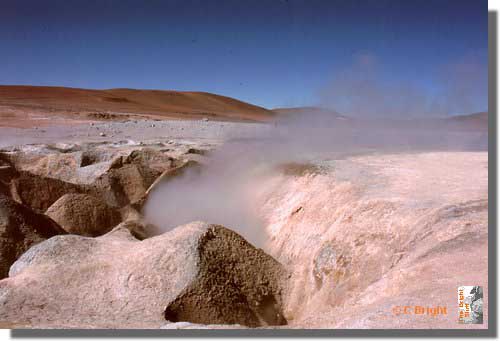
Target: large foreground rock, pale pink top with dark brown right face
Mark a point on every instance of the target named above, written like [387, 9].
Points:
[197, 273]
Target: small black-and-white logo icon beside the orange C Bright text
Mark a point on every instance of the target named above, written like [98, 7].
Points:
[470, 304]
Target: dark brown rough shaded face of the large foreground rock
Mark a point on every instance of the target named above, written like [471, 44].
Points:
[229, 287]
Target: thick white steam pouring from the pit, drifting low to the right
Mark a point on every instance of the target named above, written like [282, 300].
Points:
[223, 190]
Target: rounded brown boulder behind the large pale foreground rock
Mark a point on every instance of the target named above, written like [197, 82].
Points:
[84, 214]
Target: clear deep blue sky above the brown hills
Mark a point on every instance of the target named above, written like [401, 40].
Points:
[271, 53]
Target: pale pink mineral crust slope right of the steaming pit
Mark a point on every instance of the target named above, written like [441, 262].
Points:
[378, 233]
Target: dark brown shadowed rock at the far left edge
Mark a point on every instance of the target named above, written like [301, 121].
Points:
[21, 228]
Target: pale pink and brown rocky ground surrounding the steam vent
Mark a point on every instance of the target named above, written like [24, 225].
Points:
[348, 238]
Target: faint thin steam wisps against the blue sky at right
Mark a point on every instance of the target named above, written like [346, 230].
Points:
[367, 89]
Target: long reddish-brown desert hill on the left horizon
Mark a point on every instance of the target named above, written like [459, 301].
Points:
[120, 103]
